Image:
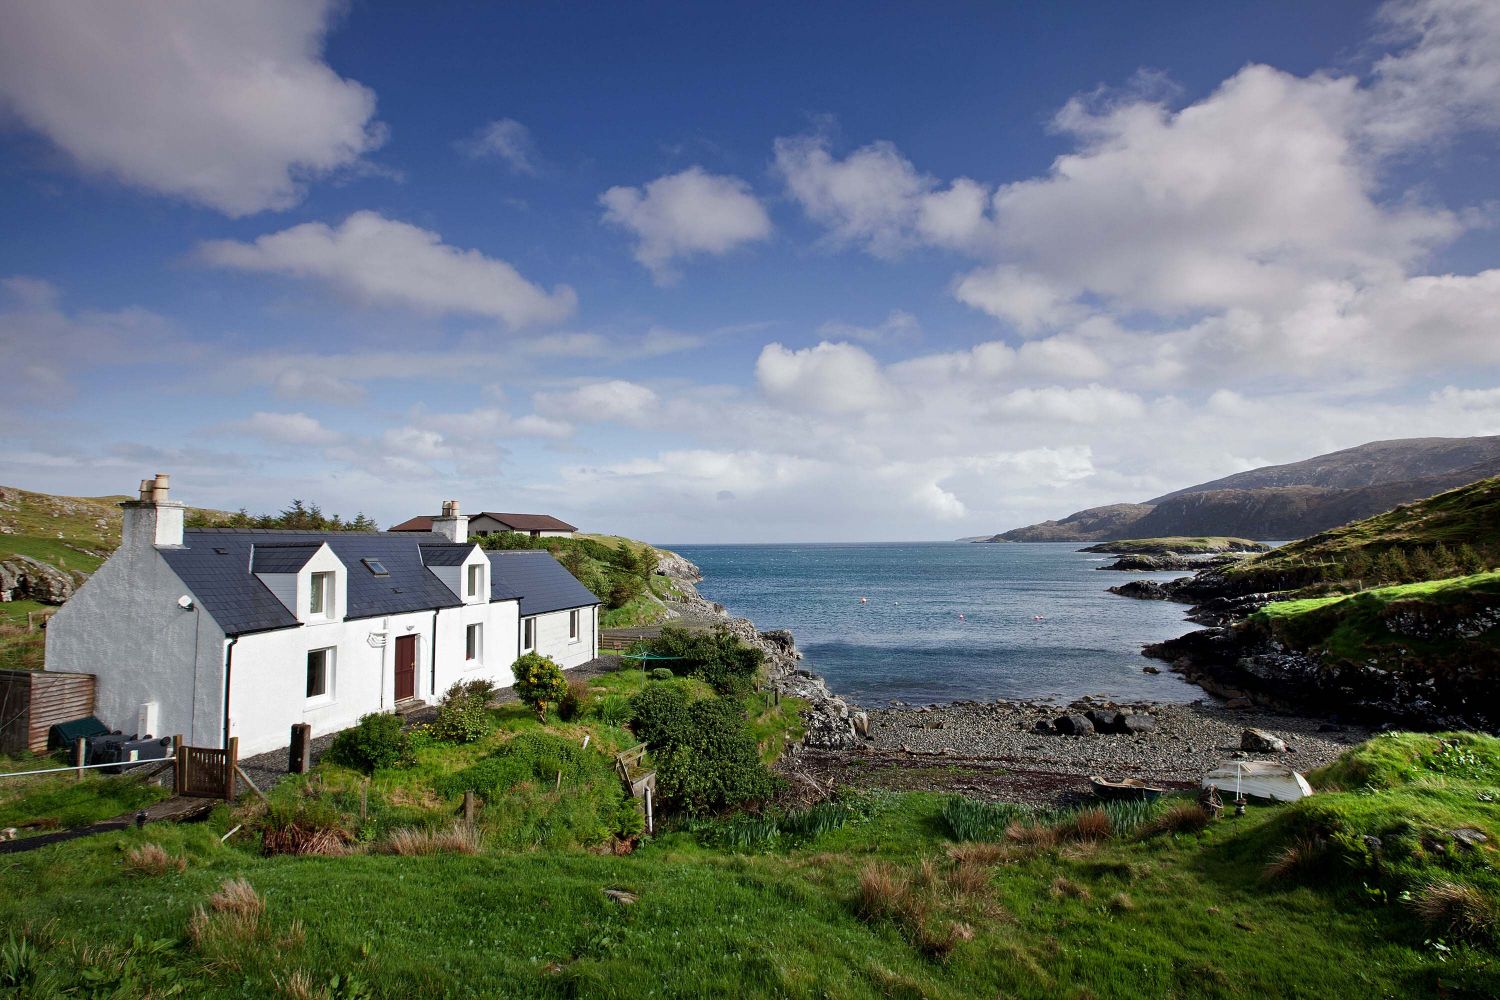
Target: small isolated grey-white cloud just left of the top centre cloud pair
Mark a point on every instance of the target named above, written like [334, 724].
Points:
[685, 215]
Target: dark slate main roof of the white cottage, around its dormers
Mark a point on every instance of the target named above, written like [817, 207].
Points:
[215, 564]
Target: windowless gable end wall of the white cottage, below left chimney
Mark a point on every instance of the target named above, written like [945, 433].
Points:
[125, 627]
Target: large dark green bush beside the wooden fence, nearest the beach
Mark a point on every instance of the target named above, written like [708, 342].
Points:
[715, 765]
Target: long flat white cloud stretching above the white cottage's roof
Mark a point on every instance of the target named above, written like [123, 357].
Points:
[385, 263]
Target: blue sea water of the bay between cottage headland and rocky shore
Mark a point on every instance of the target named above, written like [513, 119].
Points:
[950, 621]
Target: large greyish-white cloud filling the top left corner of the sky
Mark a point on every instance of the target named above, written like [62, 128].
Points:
[227, 106]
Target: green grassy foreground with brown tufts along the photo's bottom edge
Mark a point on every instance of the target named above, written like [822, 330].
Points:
[1286, 902]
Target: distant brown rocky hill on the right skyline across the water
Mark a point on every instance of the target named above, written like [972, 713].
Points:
[1288, 501]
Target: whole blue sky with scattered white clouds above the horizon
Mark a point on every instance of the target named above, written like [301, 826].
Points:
[815, 272]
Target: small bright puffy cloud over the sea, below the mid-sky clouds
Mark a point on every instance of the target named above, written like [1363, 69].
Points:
[836, 379]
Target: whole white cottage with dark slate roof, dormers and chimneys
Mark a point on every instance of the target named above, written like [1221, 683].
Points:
[218, 633]
